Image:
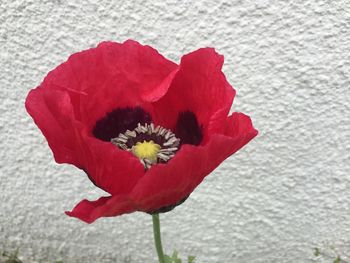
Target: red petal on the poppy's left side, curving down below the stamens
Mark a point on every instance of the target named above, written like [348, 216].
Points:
[110, 168]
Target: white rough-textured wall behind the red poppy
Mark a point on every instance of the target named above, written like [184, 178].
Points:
[286, 192]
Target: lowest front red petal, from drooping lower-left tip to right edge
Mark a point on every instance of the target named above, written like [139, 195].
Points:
[166, 184]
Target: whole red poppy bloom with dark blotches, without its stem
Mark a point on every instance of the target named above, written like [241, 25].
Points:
[144, 129]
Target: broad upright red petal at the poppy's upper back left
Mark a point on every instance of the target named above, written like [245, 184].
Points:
[112, 75]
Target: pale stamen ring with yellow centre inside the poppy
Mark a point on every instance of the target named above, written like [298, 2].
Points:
[150, 144]
